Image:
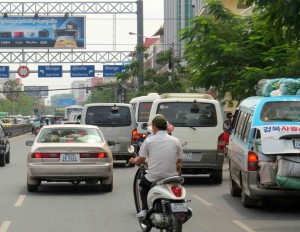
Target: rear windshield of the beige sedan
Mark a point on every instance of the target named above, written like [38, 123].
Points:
[70, 135]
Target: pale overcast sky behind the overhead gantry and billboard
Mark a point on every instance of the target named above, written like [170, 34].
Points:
[99, 37]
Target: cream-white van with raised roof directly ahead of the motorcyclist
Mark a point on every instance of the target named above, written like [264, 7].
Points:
[198, 121]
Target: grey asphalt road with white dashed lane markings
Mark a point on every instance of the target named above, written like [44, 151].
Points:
[67, 208]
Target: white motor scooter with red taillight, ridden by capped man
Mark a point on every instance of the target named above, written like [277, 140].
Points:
[168, 209]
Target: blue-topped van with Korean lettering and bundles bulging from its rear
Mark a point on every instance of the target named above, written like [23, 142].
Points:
[264, 148]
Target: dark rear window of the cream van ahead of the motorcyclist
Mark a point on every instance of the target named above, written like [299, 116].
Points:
[189, 114]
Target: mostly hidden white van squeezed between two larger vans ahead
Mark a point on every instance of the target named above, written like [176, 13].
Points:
[142, 106]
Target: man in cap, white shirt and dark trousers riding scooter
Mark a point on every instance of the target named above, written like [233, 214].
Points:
[164, 153]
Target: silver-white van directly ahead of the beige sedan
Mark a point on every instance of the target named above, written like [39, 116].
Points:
[117, 123]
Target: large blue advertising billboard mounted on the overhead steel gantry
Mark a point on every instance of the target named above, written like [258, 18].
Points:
[42, 32]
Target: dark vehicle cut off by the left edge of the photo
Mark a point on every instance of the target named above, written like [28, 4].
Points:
[4, 147]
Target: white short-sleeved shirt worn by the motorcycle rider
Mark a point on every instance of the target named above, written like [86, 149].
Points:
[162, 151]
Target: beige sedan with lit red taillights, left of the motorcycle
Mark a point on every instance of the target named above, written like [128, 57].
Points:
[69, 153]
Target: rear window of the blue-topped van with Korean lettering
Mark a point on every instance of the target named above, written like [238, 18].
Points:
[287, 111]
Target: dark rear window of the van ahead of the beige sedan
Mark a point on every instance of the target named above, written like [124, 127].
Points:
[107, 116]
